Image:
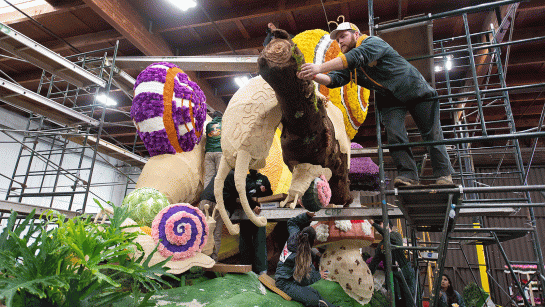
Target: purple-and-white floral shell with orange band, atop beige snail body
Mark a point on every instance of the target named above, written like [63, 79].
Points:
[183, 121]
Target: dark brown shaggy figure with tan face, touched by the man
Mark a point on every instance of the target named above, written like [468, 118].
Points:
[308, 134]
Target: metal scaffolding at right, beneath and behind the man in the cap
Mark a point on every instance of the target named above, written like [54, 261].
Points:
[473, 101]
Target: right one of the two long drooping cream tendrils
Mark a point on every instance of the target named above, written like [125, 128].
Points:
[241, 170]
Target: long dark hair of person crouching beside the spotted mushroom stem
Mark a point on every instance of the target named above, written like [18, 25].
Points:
[303, 260]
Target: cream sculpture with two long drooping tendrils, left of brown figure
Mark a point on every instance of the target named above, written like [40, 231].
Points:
[249, 124]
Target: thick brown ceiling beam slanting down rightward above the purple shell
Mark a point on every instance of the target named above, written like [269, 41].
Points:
[121, 15]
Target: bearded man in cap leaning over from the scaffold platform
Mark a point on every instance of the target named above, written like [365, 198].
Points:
[370, 62]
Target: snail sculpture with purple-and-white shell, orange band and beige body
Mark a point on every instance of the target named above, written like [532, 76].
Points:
[169, 112]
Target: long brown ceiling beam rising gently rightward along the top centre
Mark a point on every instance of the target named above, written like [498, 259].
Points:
[229, 16]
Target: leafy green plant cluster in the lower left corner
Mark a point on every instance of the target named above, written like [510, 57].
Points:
[54, 261]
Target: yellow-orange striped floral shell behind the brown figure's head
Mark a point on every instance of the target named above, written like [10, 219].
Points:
[351, 99]
